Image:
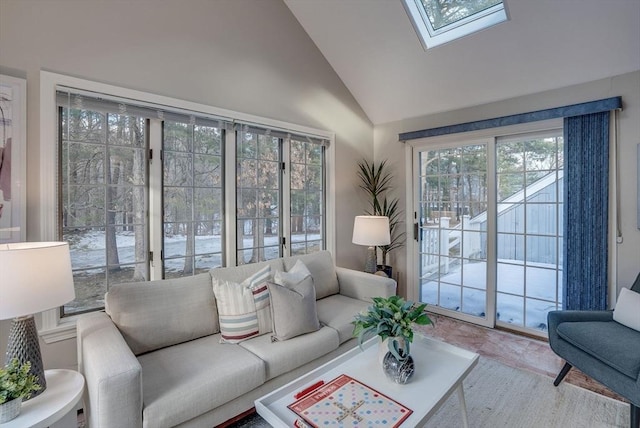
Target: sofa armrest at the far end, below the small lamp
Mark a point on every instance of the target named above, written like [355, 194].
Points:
[364, 286]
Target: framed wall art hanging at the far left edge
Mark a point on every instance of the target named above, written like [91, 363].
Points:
[13, 159]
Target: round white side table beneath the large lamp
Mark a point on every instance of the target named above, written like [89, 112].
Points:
[56, 403]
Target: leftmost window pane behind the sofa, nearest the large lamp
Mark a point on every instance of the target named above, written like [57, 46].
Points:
[104, 202]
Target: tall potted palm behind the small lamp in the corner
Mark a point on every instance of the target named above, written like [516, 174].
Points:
[375, 180]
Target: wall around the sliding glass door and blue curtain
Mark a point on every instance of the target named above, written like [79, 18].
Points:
[387, 146]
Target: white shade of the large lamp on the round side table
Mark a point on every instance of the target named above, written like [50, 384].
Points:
[34, 277]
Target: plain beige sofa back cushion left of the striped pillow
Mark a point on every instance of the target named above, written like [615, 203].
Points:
[152, 315]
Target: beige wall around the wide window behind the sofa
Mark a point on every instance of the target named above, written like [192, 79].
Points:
[243, 55]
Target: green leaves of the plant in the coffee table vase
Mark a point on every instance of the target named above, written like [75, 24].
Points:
[391, 318]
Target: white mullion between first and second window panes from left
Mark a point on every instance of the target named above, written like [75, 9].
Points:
[155, 198]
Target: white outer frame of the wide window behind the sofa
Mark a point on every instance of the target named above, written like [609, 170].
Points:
[54, 328]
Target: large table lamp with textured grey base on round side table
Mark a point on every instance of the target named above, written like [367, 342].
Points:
[34, 277]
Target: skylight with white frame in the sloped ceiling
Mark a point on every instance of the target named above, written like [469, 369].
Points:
[441, 21]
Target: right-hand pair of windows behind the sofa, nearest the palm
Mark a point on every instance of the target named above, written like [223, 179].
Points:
[263, 192]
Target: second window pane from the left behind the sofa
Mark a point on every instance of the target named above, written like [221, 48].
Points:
[193, 200]
